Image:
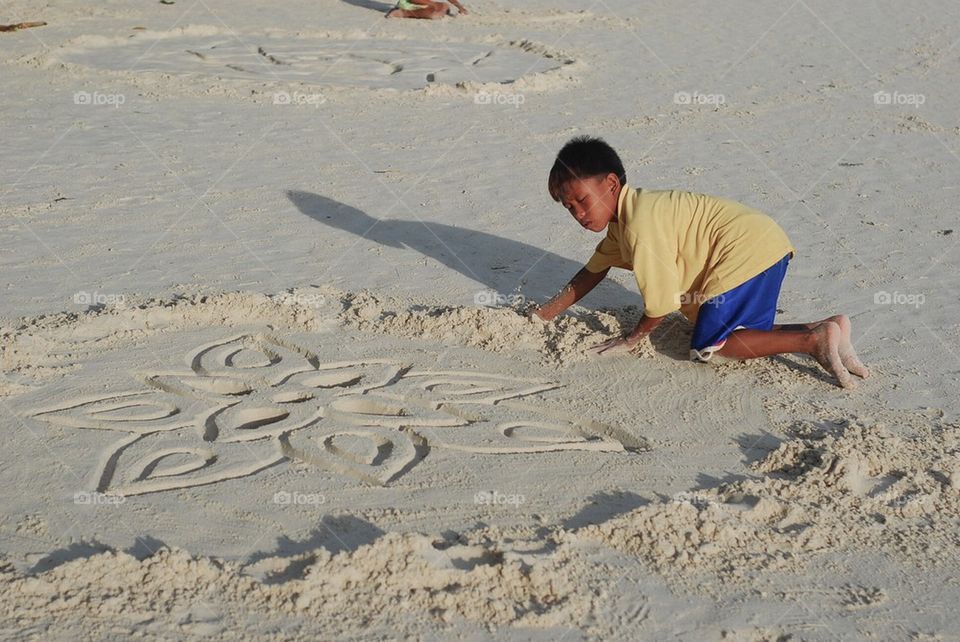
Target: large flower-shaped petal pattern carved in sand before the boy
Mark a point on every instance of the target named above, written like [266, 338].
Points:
[252, 401]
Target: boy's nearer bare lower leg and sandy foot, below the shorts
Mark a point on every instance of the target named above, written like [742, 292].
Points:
[821, 342]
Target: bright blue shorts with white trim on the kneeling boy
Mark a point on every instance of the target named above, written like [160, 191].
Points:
[751, 305]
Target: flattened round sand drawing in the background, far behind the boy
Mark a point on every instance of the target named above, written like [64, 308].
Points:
[352, 62]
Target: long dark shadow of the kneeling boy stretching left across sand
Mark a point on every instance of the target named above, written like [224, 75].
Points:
[499, 264]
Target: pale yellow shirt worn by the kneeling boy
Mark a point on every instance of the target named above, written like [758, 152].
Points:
[685, 248]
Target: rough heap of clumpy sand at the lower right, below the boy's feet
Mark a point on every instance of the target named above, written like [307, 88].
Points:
[856, 486]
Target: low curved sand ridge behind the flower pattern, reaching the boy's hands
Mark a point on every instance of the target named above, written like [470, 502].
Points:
[50, 345]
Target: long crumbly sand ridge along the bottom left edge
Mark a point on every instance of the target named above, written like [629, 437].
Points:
[494, 583]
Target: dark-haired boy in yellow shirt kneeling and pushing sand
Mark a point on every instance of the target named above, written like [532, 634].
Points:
[719, 262]
